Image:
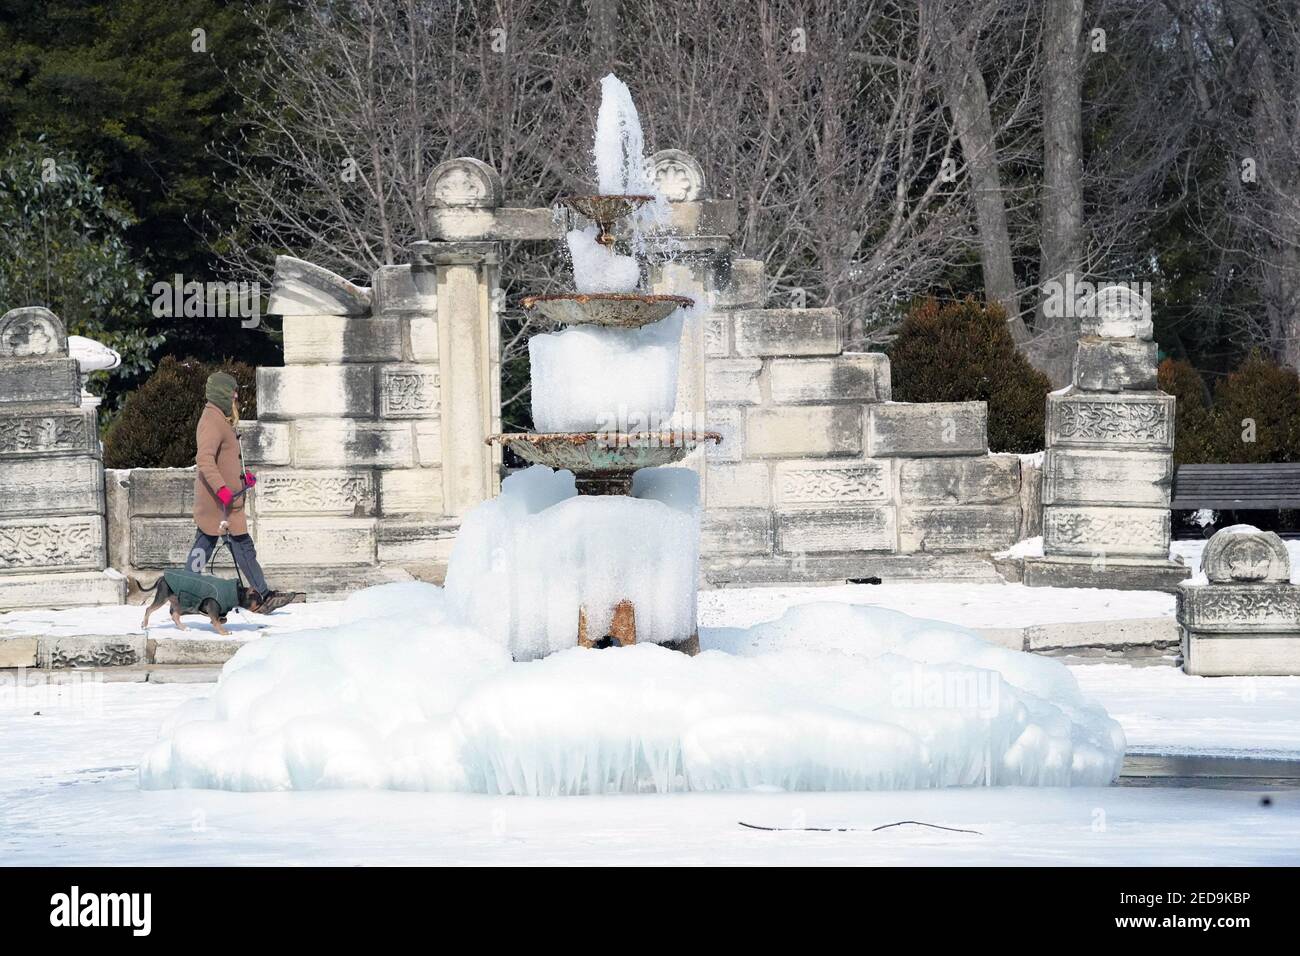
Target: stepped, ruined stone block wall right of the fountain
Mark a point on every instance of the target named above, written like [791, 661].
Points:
[821, 477]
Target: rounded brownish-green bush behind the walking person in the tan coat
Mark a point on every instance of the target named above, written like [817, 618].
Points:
[155, 429]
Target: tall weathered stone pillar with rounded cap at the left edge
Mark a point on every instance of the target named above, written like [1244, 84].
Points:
[53, 548]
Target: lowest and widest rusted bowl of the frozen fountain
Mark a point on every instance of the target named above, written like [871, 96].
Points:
[604, 462]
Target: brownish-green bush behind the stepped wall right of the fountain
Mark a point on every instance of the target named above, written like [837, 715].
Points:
[964, 353]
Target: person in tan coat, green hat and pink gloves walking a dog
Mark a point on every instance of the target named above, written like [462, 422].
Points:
[220, 487]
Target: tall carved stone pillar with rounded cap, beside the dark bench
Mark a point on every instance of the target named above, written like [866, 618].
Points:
[1110, 464]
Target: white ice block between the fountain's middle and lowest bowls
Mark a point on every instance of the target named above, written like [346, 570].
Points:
[587, 377]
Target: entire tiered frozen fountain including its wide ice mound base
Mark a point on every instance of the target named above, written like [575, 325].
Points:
[491, 685]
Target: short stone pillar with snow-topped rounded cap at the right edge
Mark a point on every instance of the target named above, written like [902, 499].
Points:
[1245, 620]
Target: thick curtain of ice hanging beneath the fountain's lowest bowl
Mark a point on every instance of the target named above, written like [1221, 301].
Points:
[527, 561]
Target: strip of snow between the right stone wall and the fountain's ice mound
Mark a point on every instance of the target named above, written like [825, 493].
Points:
[967, 605]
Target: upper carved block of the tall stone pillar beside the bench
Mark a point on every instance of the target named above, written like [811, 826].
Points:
[1138, 421]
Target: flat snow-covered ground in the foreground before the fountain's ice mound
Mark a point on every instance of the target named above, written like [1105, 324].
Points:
[70, 797]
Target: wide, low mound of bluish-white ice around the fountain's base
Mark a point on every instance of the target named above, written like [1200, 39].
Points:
[406, 697]
